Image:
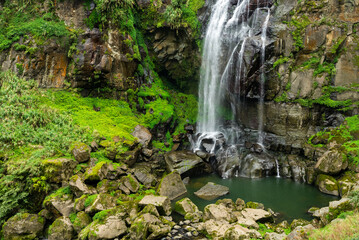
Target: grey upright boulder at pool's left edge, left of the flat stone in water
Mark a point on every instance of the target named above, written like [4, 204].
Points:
[172, 186]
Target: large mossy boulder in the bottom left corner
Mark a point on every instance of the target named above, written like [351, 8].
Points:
[23, 226]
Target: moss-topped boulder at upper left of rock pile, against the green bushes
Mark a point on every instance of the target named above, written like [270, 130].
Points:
[58, 170]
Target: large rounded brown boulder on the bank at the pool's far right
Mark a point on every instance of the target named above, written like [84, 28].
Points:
[332, 162]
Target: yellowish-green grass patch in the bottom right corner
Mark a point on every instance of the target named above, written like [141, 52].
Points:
[347, 229]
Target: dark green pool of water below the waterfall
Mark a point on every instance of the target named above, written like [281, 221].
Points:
[290, 199]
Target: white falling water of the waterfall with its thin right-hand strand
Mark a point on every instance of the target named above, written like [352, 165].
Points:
[223, 69]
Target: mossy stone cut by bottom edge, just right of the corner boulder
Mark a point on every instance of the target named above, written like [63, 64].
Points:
[60, 229]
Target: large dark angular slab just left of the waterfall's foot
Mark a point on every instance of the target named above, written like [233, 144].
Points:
[184, 162]
